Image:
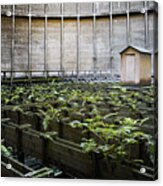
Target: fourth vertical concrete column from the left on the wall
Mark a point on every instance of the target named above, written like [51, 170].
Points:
[61, 38]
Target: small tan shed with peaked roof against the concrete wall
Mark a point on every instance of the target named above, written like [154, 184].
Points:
[135, 65]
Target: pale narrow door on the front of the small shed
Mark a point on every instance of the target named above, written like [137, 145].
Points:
[130, 67]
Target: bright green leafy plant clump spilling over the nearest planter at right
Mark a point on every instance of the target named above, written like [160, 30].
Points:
[114, 139]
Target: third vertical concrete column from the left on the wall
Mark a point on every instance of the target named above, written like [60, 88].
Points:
[45, 40]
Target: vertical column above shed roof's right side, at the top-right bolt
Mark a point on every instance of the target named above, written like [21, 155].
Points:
[146, 24]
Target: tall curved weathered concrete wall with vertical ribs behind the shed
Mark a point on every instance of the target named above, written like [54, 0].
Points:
[92, 41]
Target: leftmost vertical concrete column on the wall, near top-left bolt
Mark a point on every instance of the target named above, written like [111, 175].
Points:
[12, 41]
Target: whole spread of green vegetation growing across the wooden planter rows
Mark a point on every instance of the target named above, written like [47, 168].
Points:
[111, 114]
